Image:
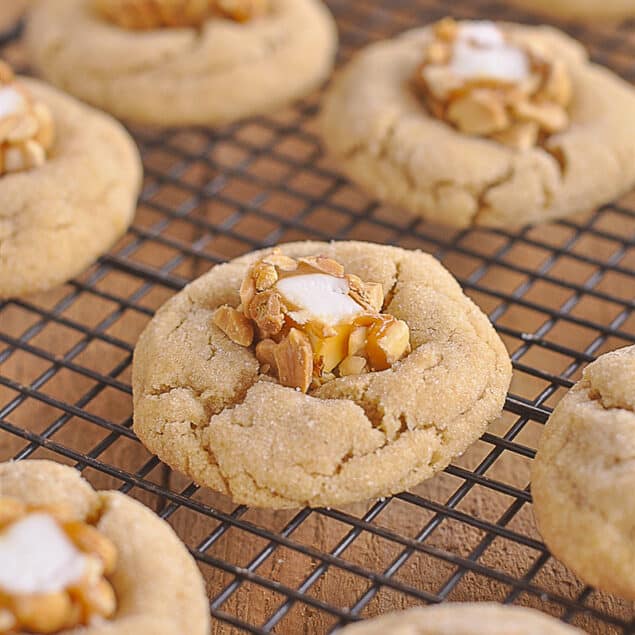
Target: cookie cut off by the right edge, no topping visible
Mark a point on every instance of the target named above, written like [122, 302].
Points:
[583, 477]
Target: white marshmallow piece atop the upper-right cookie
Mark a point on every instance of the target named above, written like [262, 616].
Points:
[481, 52]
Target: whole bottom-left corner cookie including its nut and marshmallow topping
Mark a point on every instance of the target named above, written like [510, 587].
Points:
[108, 544]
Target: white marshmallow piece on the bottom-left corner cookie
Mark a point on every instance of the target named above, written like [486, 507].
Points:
[36, 556]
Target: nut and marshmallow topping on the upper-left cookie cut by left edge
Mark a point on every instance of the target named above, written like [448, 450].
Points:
[26, 126]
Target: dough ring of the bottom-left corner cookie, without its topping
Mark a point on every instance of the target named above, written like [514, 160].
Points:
[163, 596]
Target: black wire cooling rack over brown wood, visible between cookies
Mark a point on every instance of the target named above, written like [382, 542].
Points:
[558, 294]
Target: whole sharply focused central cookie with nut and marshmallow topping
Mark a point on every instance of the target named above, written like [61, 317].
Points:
[361, 380]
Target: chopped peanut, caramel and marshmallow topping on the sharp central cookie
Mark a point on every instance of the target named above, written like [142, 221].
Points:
[312, 321]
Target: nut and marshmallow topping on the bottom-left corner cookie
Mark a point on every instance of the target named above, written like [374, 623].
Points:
[64, 585]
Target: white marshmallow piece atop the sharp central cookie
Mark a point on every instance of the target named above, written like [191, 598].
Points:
[319, 297]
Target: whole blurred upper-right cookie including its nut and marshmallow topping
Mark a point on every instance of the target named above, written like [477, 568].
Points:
[379, 127]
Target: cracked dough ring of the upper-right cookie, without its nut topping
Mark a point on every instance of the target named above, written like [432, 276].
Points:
[374, 123]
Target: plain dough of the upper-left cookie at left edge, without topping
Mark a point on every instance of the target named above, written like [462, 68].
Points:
[55, 220]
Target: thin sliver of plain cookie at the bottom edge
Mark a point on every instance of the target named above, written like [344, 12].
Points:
[463, 619]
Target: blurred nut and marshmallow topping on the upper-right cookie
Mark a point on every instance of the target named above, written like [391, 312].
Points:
[486, 81]
